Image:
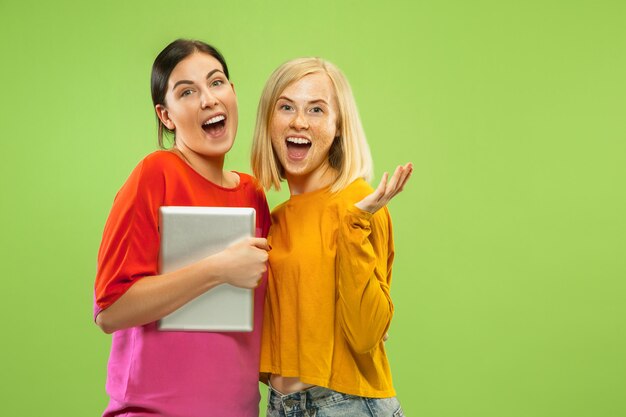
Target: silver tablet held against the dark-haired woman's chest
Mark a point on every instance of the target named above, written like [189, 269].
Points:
[189, 234]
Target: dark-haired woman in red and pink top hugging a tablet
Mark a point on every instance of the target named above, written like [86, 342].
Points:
[186, 374]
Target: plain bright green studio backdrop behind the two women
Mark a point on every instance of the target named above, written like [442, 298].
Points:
[509, 278]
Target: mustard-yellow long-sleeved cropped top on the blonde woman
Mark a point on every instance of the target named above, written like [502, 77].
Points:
[328, 304]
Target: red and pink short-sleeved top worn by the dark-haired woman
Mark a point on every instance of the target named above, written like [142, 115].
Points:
[173, 373]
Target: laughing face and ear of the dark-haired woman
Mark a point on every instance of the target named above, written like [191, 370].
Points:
[200, 107]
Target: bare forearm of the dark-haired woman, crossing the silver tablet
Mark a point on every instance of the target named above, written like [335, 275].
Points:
[152, 298]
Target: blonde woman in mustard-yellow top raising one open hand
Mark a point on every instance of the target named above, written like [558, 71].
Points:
[328, 305]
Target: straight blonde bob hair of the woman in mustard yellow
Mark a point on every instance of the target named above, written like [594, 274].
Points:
[349, 154]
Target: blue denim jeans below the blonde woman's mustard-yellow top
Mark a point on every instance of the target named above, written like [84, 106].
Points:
[323, 402]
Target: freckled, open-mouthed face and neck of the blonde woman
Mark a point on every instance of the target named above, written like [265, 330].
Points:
[303, 128]
